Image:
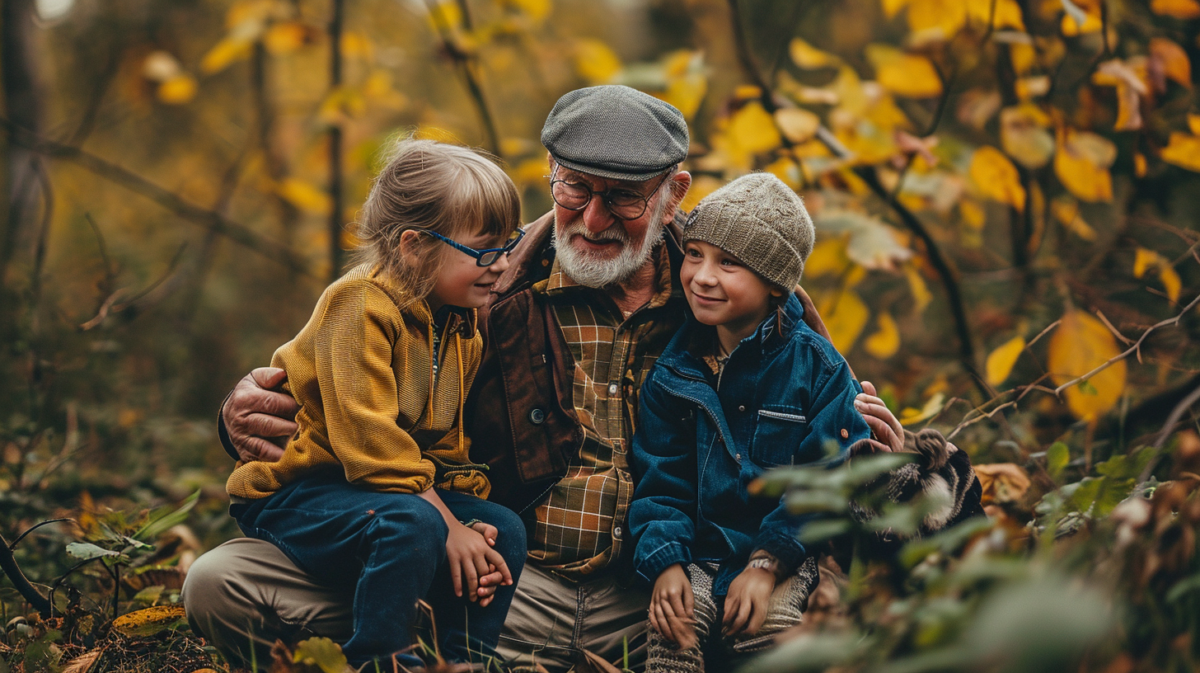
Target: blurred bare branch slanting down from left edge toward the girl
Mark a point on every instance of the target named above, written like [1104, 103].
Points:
[171, 201]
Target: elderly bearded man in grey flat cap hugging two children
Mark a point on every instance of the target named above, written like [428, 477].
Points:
[591, 299]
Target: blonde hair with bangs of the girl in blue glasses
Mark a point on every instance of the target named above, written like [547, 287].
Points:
[433, 187]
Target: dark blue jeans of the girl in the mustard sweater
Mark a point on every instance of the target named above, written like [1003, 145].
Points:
[392, 549]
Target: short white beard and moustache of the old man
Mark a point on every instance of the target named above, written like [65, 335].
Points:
[596, 273]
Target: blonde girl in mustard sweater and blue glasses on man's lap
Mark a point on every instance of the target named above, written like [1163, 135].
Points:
[375, 486]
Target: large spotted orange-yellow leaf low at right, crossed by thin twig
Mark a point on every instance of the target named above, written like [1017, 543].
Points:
[1081, 345]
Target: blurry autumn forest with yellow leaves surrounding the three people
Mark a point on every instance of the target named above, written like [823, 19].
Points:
[1006, 201]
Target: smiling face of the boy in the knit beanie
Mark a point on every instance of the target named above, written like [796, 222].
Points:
[724, 292]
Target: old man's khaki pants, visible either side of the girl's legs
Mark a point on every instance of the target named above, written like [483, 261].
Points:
[247, 594]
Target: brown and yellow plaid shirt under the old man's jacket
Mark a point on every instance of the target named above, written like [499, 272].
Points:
[580, 527]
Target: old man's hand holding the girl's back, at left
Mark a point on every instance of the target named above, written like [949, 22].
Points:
[259, 419]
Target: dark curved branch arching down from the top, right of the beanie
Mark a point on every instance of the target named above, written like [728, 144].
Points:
[945, 272]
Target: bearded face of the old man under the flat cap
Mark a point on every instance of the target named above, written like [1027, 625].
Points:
[595, 247]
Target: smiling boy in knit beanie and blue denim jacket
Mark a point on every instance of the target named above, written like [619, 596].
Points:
[743, 388]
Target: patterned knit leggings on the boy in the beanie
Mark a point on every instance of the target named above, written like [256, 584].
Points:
[788, 604]
